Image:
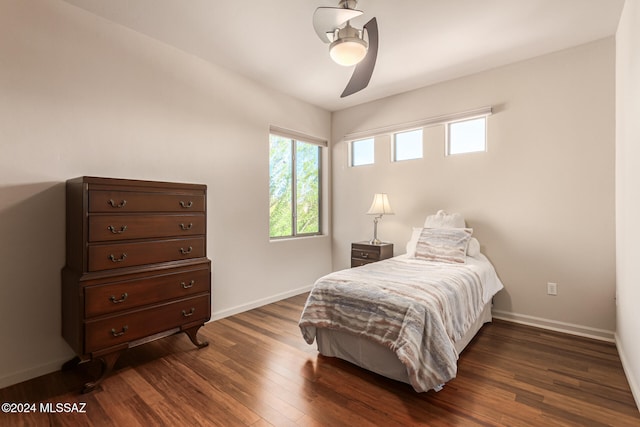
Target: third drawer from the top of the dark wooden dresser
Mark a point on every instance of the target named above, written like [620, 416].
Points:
[119, 255]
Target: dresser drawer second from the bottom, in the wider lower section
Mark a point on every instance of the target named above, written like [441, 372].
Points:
[125, 295]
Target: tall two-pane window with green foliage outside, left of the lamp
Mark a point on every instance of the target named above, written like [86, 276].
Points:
[294, 187]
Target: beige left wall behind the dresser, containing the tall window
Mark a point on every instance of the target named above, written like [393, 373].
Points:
[82, 96]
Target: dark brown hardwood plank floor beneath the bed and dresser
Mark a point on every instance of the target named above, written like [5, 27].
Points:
[258, 371]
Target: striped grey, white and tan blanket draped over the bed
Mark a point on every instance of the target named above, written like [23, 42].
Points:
[417, 309]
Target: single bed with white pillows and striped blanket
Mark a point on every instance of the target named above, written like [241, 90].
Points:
[408, 317]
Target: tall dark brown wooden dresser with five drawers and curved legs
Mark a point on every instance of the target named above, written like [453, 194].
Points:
[136, 266]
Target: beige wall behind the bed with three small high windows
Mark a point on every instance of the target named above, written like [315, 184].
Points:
[540, 200]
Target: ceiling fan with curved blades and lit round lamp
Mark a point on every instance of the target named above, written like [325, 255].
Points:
[348, 45]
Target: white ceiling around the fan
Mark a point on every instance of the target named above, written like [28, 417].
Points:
[421, 41]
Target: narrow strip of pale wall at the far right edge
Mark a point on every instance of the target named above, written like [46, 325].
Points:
[628, 191]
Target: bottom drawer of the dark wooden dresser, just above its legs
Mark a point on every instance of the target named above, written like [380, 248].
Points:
[104, 333]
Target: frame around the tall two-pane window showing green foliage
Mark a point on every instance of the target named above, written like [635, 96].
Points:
[294, 139]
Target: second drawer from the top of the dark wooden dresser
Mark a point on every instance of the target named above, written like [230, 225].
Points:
[124, 227]
